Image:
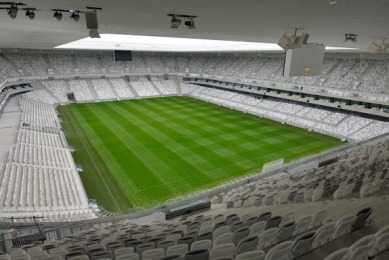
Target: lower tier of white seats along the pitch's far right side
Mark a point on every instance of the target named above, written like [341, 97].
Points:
[335, 124]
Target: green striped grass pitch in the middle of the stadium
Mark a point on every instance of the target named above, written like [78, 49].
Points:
[140, 153]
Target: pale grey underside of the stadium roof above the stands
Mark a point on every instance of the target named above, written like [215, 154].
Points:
[250, 21]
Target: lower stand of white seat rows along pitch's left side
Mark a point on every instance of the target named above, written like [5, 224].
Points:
[40, 177]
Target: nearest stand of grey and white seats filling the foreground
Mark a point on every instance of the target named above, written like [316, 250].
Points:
[299, 229]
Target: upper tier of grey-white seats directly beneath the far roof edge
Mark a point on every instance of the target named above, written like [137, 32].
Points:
[351, 74]
